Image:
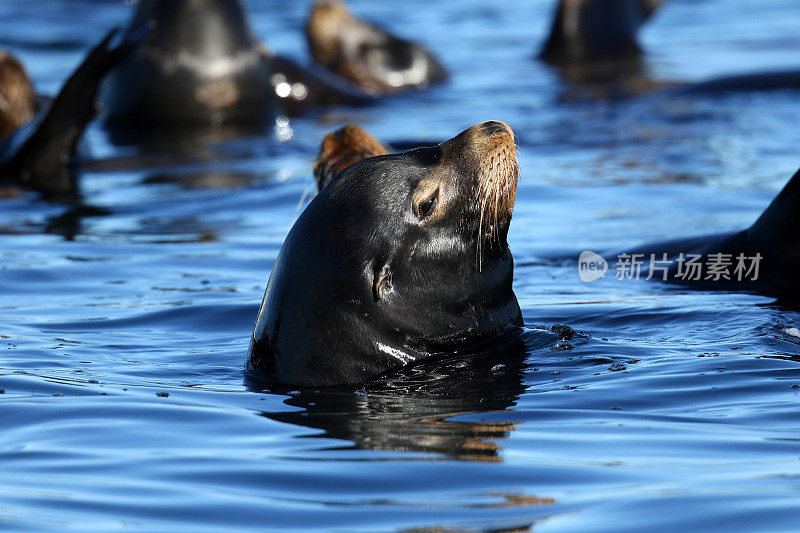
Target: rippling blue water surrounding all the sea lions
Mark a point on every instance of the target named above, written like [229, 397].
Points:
[124, 332]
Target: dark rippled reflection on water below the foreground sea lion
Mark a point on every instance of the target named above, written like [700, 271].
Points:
[412, 410]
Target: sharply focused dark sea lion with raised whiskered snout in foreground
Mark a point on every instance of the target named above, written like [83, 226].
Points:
[400, 258]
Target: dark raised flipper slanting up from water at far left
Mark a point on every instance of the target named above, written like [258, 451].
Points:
[40, 154]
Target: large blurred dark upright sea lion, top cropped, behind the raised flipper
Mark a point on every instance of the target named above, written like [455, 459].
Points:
[198, 65]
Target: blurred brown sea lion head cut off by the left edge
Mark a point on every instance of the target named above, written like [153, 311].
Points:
[17, 97]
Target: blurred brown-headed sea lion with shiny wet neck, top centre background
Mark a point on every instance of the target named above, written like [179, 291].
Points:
[372, 58]
